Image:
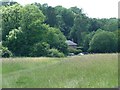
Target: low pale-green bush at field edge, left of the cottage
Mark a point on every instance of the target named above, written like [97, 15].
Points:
[55, 53]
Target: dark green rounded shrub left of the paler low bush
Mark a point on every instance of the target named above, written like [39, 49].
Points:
[40, 49]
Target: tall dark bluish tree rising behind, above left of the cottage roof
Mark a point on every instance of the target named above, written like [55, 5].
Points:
[65, 20]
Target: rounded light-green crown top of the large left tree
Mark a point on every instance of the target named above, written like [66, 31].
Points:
[31, 15]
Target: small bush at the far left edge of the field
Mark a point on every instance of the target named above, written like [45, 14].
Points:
[4, 52]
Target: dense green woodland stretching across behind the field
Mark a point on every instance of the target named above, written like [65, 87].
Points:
[41, 30]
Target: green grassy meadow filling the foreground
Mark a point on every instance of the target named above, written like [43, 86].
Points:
[87, 71]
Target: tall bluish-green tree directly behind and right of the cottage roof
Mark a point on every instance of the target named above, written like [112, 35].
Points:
[81, 24]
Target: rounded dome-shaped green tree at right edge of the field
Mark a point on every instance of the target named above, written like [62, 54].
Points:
[103, 42]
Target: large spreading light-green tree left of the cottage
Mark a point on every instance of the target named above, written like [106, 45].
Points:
[32, 33]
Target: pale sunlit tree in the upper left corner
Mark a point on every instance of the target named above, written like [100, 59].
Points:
[11, 17]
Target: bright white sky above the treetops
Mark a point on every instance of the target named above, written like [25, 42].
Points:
[92, 8]
